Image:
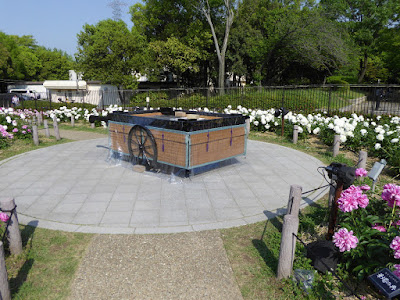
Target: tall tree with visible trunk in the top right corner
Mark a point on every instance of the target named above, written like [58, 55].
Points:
[365, 20]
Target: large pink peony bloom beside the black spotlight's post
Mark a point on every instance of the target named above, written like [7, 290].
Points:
[352, 198]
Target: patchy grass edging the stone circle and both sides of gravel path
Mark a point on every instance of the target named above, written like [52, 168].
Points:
[50, 259]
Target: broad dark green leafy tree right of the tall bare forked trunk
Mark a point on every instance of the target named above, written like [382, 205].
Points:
[284, 37]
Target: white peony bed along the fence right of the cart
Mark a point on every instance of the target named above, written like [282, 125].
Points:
[379, 136]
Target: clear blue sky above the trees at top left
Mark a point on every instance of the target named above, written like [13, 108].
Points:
[56, 23]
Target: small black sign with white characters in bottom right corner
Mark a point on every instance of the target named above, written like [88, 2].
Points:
[387, 283]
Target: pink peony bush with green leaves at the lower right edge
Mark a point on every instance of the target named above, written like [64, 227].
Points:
[368, 229]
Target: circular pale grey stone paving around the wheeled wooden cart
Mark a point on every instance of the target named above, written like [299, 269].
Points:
[77, 187]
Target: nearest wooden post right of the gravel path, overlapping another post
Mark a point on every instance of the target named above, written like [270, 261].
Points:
[288, 246]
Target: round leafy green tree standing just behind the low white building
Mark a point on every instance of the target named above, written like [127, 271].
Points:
[109, 52]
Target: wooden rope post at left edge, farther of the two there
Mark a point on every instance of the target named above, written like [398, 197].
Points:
[13, 233]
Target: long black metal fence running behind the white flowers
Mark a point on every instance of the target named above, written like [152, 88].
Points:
[361, 99]
